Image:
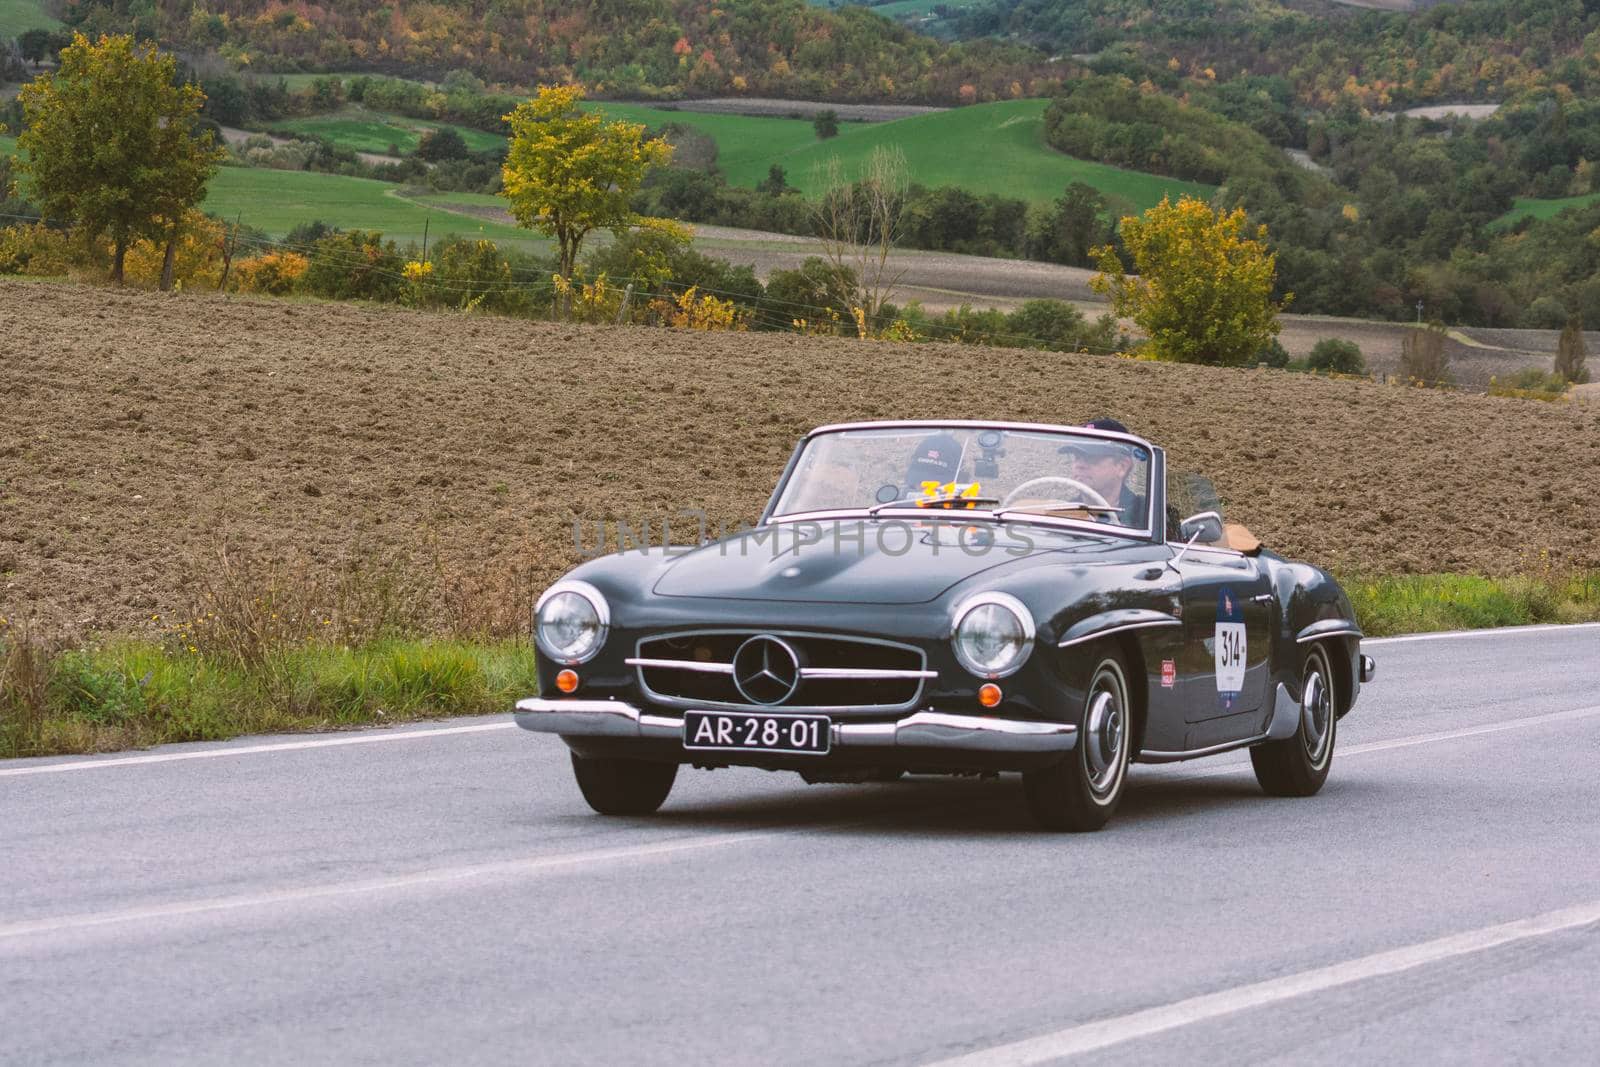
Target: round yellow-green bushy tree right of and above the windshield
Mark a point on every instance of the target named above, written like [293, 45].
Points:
[1204, 286]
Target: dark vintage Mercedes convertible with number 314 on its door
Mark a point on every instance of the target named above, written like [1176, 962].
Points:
[951, 599]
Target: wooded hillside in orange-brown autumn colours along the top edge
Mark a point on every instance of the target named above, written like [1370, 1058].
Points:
[618, 47]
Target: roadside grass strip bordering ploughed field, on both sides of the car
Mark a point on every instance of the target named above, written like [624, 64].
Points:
[210, 681]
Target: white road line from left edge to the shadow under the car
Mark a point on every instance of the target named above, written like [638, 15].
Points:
[532, 866]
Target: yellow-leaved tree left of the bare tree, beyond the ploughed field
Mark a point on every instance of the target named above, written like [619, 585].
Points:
[570, 174]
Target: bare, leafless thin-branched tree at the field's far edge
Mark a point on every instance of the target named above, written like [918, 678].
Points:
[860, 223]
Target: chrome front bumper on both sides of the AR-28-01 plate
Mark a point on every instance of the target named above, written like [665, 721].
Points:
[921, 730]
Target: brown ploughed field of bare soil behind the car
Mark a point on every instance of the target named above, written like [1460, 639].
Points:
[143, 434]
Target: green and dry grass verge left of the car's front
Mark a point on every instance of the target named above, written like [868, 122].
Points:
[132, 693]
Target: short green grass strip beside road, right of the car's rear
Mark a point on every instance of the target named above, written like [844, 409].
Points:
[1425, 604]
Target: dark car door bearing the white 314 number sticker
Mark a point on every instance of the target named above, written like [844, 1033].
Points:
[1228, 618]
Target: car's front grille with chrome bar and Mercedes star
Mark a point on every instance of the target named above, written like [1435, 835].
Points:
[697, 669]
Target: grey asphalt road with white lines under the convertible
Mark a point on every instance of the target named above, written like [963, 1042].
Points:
[442, 895]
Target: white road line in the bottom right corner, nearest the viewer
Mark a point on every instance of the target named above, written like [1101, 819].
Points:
[1103, 1034]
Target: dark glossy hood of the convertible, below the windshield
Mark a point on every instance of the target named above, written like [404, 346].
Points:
[894, 564]
